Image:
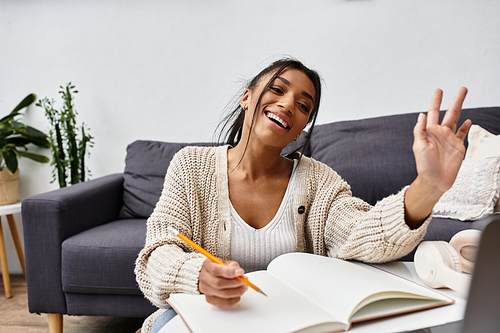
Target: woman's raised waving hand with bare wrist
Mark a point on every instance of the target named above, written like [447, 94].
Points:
[439, 151]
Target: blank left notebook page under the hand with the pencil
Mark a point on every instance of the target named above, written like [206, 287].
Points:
[281, 311]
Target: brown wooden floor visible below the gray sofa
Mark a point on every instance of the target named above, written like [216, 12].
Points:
[15, 317]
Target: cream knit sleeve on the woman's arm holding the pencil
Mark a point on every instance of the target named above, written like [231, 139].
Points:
[166, 264]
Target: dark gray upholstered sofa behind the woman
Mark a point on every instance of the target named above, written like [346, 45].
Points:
[81, 241]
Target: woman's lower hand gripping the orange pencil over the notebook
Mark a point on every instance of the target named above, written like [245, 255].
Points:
[219, 283]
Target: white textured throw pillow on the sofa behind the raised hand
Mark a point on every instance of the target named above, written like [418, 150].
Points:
[474, 193]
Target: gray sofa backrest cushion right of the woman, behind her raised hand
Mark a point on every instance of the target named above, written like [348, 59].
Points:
[375, 155]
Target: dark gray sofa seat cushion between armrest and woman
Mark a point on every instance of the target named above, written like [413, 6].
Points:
[101, 260]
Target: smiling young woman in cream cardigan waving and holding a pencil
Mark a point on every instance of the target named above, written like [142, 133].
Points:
[247, 203]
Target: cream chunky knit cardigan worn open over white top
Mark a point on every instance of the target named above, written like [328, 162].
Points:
[195, 201]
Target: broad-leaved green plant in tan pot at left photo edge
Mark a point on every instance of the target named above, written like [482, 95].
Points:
[14, 140]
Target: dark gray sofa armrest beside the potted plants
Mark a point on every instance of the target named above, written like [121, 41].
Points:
[48, 219]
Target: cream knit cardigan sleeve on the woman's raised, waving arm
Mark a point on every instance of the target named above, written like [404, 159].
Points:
[356, 230]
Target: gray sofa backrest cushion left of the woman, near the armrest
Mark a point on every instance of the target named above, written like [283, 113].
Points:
[146, 164]
